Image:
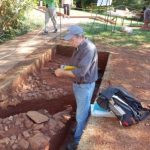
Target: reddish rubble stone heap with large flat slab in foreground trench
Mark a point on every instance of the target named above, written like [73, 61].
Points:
[32, 130]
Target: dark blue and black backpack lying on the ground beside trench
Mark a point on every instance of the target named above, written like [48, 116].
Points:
[126, 107]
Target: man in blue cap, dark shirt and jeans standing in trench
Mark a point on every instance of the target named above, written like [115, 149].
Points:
[85, 60]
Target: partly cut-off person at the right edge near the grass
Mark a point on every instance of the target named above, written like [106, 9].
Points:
[146, 19]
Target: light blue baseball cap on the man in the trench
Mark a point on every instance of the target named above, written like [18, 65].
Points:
[72, 31]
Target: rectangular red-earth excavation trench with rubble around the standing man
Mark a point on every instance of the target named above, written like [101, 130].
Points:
[43, 93]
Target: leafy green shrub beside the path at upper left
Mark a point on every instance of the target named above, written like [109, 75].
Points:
[12, 15]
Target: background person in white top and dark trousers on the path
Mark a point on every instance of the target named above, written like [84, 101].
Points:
[67, 6]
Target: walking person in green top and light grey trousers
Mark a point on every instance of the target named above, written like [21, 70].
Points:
[50, 14]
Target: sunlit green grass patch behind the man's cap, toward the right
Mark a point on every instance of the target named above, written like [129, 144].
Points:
[111, 35]
